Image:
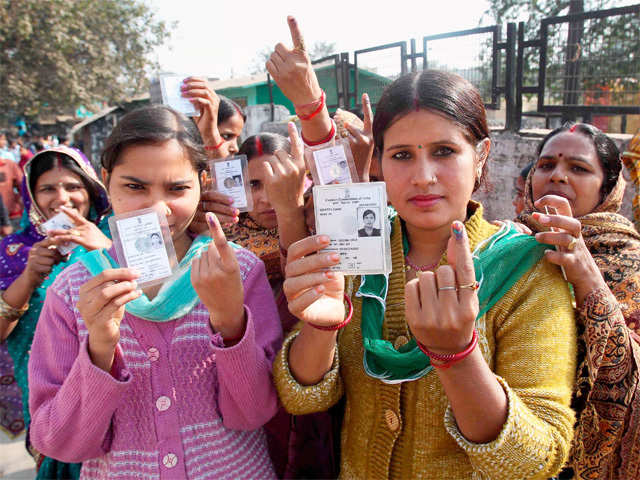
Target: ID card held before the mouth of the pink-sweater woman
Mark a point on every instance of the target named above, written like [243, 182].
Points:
[142, 240]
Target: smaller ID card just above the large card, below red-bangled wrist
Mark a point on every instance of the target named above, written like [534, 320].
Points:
[332, 164]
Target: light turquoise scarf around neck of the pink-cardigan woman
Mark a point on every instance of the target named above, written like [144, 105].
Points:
[175, 298]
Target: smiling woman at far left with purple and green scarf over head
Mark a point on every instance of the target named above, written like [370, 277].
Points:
[58, 179]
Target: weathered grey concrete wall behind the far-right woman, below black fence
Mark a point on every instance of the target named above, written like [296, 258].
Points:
[510, 153]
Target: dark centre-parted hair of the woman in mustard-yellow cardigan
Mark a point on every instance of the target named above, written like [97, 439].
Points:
[443, 92]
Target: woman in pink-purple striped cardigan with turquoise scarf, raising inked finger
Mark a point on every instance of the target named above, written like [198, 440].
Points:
[170, 382]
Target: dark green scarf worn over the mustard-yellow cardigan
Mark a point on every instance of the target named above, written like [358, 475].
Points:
[499, 262]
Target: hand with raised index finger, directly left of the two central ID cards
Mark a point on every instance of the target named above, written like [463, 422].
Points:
[285, 176]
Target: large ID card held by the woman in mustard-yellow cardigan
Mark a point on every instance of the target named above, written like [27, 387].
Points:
[353, 216]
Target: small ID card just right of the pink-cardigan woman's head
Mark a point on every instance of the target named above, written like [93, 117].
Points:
[230, 176]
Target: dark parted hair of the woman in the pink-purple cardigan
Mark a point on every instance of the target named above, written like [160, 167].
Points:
[152, 125]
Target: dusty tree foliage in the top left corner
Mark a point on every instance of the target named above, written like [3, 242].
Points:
[58, 54]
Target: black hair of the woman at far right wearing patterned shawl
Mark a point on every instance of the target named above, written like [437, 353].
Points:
[606, 149]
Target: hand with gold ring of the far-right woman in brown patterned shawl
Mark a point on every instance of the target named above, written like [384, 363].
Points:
[571, 253]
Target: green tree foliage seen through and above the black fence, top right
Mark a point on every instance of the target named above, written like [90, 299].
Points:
[603, 55]
